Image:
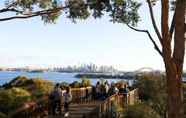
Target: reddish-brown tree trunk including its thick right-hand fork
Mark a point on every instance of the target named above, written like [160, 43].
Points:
[174, 64]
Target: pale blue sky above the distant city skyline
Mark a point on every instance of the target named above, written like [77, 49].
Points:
[32, 43]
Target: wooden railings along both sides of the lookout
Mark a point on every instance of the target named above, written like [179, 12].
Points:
[105, 109]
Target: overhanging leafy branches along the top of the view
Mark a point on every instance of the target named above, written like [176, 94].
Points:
[122, 11]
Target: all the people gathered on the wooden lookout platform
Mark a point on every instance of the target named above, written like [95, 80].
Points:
[59, 97]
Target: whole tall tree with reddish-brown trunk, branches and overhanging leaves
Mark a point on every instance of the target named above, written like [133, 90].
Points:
[121, 11]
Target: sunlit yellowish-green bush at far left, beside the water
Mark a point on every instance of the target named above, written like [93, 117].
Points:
[21, 90]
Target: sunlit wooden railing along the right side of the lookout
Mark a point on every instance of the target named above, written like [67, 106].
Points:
[107, 108]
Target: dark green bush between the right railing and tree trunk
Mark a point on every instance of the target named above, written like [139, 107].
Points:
[152, 91]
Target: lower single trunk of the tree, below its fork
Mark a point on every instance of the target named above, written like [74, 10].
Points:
[175, 101]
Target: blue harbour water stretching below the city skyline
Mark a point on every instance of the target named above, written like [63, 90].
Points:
[7, 76]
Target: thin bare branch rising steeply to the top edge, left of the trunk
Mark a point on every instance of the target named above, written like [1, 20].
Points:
[154, 22]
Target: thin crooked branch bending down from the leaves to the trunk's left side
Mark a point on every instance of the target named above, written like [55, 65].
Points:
[150, 37]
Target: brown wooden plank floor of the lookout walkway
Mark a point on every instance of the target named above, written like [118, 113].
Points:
[78, 110]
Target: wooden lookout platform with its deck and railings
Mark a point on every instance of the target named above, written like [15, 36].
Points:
[82, 106]
